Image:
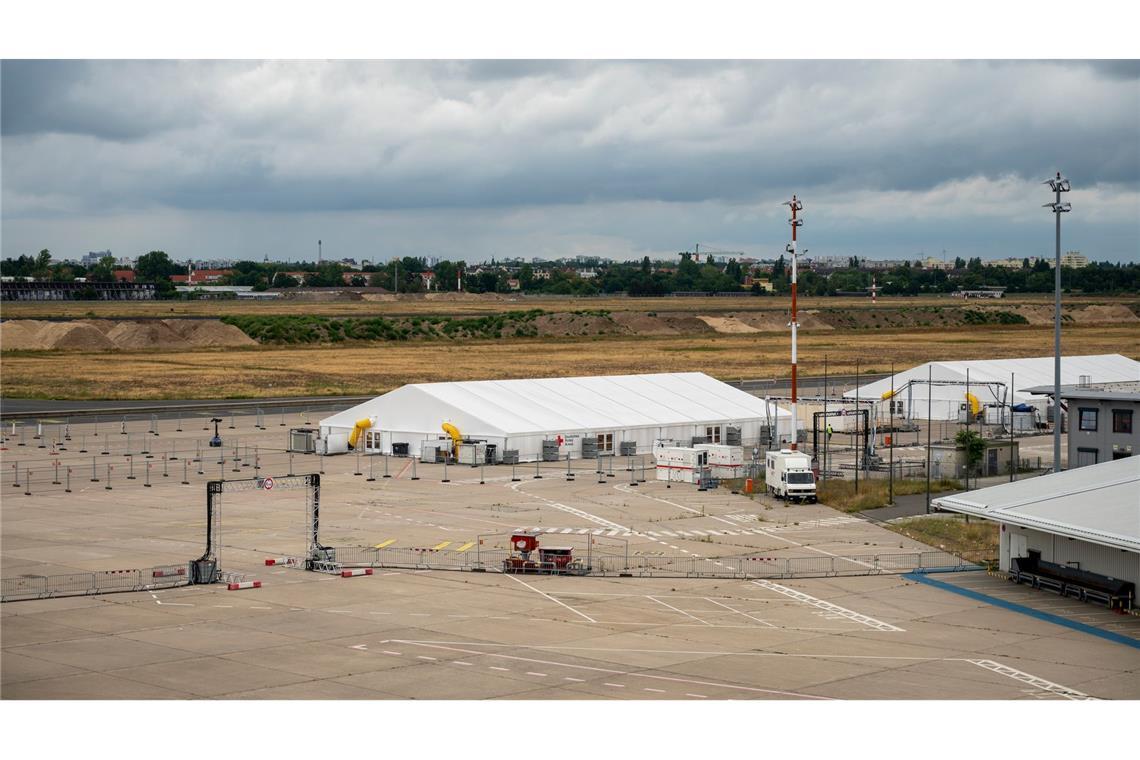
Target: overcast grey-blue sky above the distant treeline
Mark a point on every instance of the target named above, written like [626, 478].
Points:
[549, 159]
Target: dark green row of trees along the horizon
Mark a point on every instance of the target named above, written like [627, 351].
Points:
[636, 279]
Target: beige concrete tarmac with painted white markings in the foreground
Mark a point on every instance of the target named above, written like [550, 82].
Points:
[404, 634]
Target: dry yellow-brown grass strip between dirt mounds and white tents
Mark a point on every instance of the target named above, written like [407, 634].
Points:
[267, 372]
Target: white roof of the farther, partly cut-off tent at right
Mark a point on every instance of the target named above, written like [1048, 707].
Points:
[1028, 373]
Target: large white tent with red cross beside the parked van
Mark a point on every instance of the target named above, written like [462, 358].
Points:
[522, 414]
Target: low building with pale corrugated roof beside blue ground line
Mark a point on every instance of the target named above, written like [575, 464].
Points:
[1086, 519]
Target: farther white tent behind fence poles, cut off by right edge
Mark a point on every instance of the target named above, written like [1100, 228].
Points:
[990, 381]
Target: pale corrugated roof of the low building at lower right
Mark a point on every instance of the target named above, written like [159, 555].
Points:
[1100, 504]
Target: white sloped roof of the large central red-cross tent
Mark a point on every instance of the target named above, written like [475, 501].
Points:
[566, 404]
